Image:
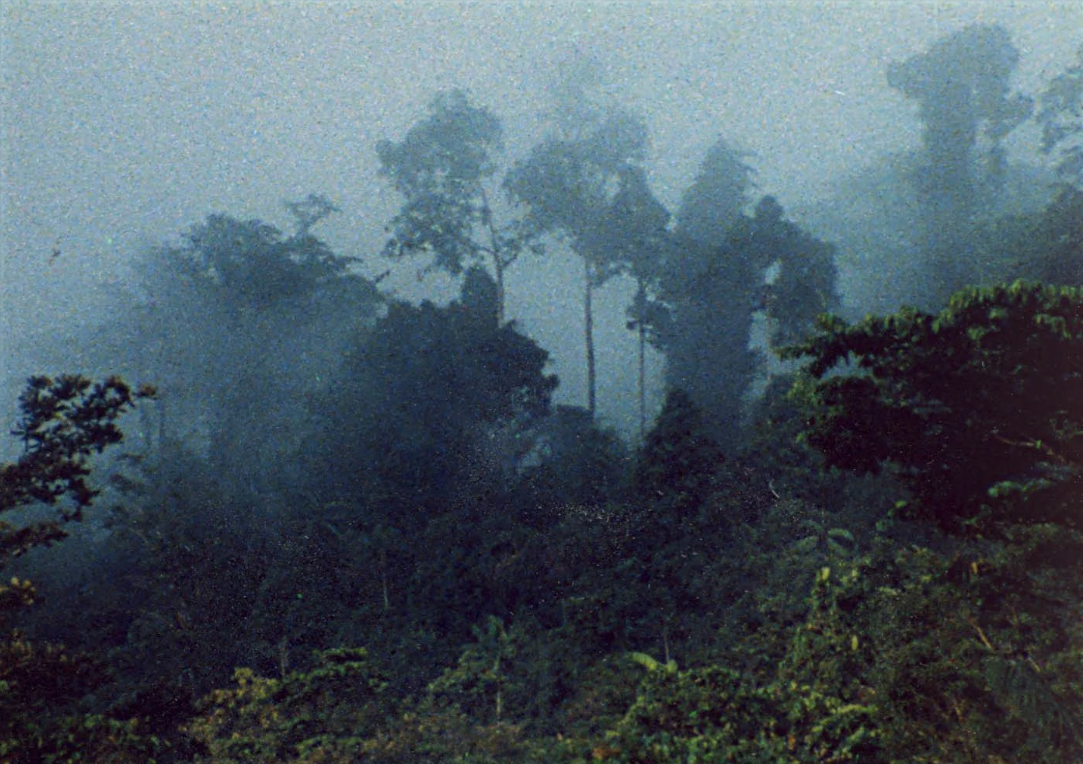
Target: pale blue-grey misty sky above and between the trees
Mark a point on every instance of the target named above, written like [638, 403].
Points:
[125, 126]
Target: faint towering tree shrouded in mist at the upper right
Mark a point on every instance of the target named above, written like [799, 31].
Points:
[962, 87]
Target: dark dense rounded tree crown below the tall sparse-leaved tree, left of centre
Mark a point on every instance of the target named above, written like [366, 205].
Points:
[417, 400]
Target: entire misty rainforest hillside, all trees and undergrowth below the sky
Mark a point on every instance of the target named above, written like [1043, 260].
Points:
[841, 539]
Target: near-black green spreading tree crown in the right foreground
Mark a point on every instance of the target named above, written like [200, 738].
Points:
[976, 408]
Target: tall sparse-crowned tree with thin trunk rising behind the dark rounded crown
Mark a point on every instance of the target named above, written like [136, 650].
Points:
[443, 169]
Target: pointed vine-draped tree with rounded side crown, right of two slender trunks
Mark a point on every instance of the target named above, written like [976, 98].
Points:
[713, 283]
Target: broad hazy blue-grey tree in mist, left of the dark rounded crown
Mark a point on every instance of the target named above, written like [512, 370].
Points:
[234, 325]
